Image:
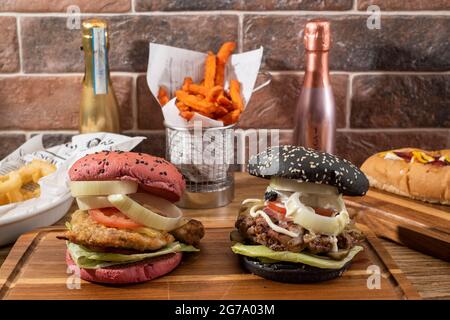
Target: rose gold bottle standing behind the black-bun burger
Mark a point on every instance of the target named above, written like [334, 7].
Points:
[315, 121]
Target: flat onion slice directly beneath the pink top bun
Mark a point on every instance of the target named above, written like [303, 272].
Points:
[102, 188]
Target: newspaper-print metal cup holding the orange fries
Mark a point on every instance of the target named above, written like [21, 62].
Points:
[205, 157]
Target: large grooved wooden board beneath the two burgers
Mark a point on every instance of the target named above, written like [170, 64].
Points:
[35, 268]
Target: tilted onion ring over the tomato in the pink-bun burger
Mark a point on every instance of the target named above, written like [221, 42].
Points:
[143, 208]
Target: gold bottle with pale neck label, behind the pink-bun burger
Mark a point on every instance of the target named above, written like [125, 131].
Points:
[99, 108]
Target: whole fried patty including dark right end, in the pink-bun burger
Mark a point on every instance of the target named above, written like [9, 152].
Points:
[87, 232]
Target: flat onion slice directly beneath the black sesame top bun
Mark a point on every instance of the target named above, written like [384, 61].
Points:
[283, 184]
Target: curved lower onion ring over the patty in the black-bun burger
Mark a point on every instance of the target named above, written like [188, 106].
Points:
[307, 218]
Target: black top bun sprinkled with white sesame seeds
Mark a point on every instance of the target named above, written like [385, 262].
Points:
[308, 165]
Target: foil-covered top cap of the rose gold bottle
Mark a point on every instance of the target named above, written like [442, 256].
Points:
[317, 35]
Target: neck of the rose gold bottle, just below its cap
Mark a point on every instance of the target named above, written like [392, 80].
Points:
[316, 70]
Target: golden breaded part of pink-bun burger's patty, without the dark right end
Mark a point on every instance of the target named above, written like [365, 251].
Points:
[87, 232]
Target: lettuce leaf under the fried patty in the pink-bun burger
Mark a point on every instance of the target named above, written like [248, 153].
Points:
[87, 259]
